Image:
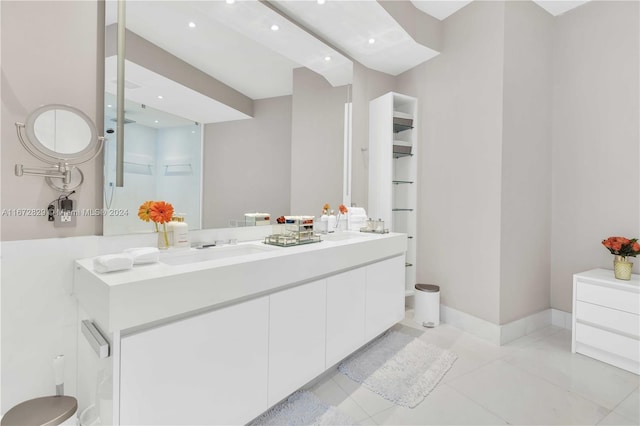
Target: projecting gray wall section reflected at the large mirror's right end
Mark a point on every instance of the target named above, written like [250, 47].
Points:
[317, 143]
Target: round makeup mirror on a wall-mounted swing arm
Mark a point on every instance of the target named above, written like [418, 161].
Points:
[62, 133]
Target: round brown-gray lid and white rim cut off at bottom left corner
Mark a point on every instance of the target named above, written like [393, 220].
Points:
[45, 411]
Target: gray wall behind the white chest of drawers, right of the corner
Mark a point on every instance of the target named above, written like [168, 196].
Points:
[596, 140]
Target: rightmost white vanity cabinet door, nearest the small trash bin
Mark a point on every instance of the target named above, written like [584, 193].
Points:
[385, 295]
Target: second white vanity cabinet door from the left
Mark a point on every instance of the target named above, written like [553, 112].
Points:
[297, 324]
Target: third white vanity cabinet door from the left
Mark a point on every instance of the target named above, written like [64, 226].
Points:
[345, 314]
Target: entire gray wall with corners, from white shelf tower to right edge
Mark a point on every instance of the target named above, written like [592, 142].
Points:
[530, 130]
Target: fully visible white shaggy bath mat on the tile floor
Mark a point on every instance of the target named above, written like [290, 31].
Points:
[399, 368]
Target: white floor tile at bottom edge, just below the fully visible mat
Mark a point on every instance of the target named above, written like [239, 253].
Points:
[443, 406]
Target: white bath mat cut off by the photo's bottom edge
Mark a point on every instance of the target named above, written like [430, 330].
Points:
[303, 408]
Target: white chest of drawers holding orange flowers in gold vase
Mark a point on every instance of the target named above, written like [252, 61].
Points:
[606, 318]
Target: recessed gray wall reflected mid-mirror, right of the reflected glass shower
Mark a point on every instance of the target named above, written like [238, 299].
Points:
[247, 164]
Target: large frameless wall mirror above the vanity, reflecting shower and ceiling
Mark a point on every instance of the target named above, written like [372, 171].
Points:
[224, 114]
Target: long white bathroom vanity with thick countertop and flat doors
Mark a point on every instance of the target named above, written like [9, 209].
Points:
[219, 335]
